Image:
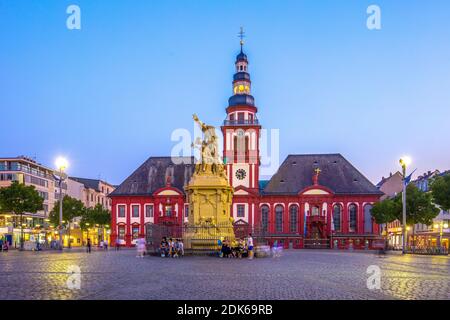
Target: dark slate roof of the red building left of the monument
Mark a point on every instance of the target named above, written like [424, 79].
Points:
[152, 175]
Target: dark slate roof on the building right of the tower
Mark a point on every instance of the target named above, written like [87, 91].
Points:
[337, 174]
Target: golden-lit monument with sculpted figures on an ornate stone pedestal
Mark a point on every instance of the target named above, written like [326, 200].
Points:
[210, 195]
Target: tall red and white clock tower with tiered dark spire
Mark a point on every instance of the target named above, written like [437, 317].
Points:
[241, 129]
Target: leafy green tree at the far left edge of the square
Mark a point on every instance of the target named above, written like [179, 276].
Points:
[19, 199]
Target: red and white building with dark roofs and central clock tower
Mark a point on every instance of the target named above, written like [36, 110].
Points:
[312, 201]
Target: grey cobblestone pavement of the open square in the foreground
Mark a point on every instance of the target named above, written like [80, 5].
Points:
[298, 274]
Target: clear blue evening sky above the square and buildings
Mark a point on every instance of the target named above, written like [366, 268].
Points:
[109, 95]
